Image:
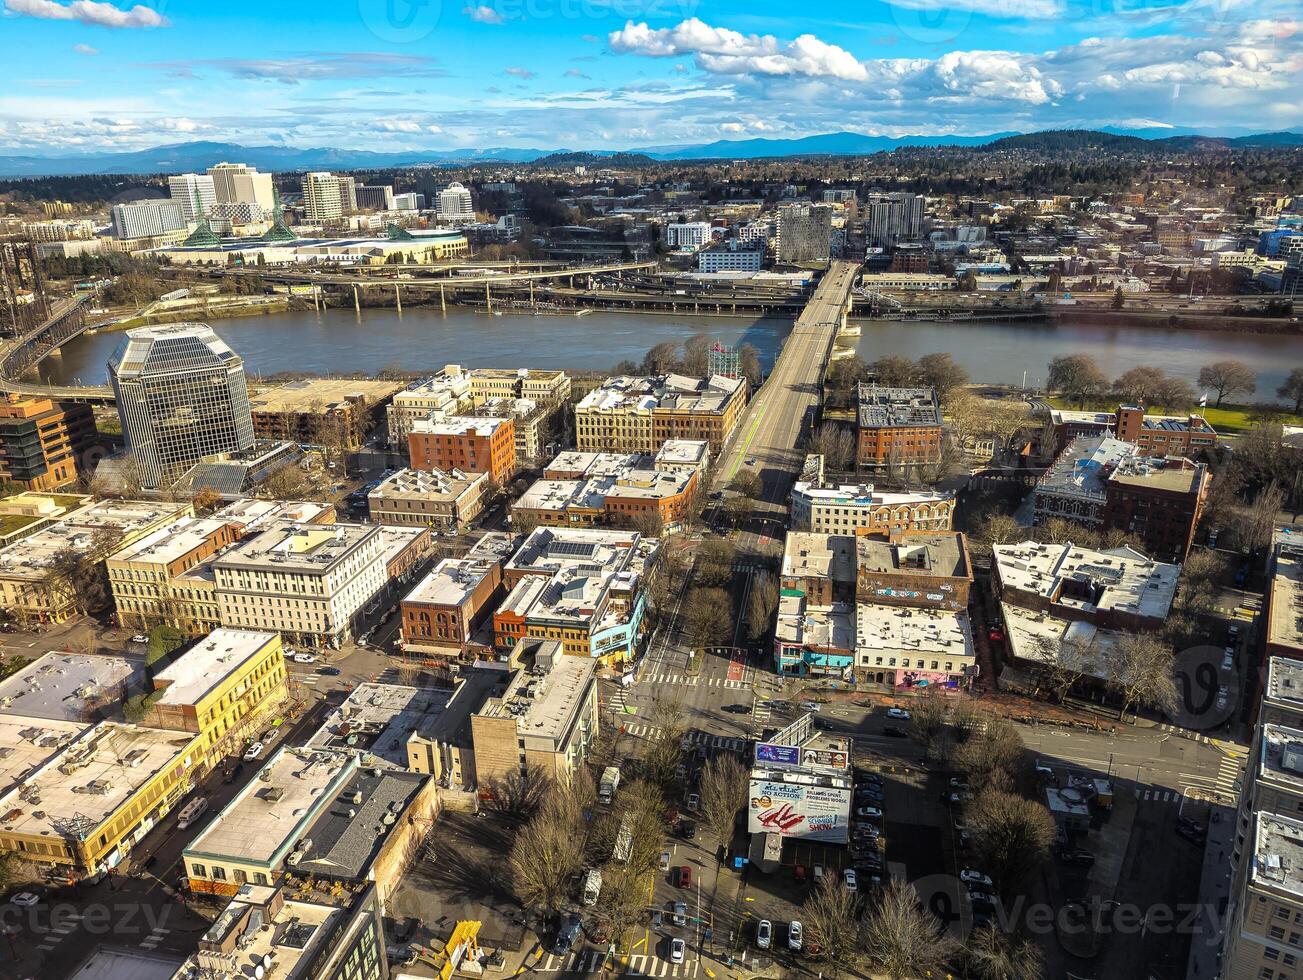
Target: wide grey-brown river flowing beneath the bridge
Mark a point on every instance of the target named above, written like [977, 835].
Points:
[423, 339]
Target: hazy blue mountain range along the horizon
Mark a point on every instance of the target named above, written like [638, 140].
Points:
[182, 158]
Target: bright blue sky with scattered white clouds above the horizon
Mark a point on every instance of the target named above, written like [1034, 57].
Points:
[390, 75]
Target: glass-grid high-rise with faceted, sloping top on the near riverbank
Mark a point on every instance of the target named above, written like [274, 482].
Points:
[182, 397]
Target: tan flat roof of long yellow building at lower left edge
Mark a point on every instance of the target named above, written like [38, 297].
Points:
[96, 775]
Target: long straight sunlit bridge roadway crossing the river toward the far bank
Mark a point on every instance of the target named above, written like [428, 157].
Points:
[789, 401]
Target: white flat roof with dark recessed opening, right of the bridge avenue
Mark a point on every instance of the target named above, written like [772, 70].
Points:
[1117, 579]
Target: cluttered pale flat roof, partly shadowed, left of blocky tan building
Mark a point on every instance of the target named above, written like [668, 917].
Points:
[377, 720]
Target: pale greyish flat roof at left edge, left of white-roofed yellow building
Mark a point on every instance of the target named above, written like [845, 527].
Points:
[70, 686]
